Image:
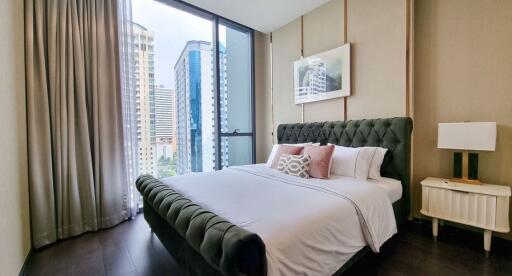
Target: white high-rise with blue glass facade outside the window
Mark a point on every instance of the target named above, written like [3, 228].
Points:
[195, 108]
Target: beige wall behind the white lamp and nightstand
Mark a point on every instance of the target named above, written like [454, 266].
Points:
[463, 71]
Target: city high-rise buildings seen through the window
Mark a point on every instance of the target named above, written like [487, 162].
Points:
[176, 127]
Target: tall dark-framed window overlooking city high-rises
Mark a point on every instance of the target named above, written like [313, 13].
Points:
[193, 81]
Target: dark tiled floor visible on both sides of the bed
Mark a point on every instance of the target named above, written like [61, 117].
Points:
[130, 249]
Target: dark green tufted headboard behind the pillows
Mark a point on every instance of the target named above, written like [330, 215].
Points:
[391, 133]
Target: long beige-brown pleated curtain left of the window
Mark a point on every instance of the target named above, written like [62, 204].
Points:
[74, 114]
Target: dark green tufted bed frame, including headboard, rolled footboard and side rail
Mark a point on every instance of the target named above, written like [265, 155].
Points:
[206, 244]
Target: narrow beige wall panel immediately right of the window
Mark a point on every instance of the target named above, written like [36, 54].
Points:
[263, 96]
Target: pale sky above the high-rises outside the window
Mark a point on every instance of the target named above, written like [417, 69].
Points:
[172, 28]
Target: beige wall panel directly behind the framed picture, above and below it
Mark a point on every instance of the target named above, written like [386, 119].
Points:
[323, 30]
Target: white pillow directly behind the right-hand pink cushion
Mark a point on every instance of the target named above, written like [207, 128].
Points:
[352, 162]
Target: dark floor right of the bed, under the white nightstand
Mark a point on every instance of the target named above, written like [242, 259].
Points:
[457, 252]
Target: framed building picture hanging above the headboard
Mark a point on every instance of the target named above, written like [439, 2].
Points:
[322, 76]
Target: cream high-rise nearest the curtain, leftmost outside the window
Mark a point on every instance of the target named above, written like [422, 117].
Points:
[144, 76]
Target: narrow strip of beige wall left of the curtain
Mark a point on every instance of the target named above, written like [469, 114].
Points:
[14, 222]
